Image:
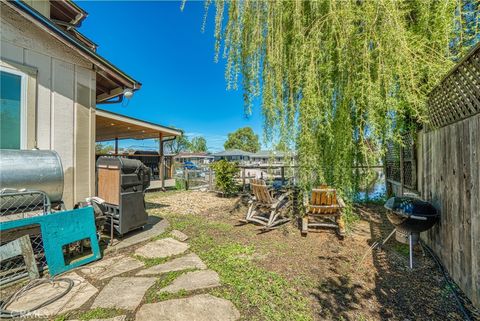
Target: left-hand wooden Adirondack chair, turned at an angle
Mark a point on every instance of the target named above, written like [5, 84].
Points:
[266, 208]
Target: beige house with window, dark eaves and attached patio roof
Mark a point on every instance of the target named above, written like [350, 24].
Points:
[51, 81]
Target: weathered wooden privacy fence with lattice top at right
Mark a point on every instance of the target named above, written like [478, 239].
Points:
[448, 174]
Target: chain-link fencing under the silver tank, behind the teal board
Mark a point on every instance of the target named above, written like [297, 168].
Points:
[16, 205]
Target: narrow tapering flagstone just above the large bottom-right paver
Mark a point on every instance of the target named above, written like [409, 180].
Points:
[193, 281]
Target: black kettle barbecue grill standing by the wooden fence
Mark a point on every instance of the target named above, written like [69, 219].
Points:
[410, 216]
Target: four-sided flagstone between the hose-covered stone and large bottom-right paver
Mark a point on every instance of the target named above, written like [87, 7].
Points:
[123, 293]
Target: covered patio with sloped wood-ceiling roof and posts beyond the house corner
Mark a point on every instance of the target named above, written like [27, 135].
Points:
[114, 127]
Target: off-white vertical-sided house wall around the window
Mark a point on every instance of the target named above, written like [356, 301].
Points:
[65, 100]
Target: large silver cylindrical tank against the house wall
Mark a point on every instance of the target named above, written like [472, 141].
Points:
[39, 170]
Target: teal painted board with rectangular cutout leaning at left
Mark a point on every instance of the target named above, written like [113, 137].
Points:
[59, 229]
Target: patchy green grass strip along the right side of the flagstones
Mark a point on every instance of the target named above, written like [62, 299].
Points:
[259, 293]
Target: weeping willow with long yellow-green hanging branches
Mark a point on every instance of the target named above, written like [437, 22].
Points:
[337, 79]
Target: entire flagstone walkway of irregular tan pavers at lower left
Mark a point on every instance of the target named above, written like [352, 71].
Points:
[124, 281]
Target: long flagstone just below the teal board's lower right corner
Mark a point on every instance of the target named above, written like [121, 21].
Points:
[112, 266]
